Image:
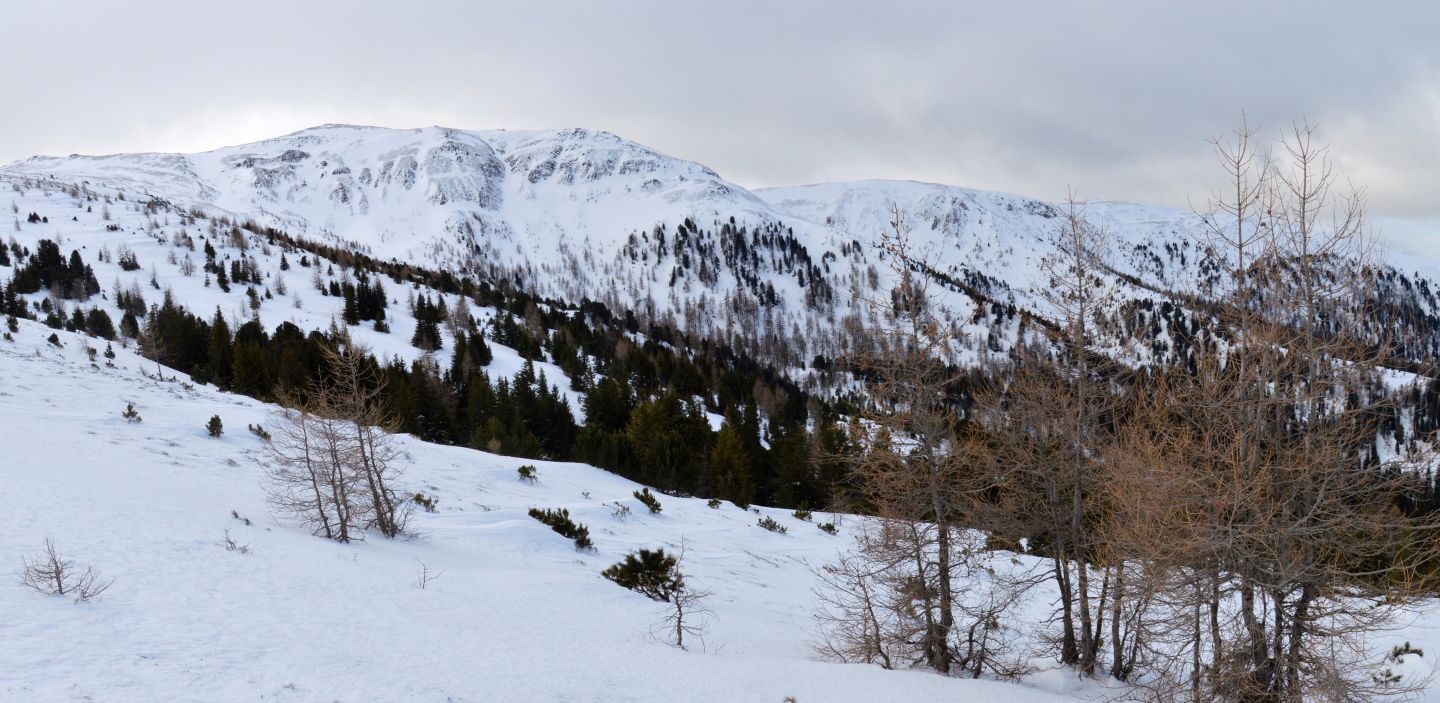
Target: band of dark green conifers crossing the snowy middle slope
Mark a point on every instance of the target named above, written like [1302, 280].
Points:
[650, 393]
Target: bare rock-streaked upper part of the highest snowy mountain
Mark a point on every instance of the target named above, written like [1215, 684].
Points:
[384, 188]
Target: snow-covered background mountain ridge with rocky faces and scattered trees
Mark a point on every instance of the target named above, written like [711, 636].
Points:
[587, 215]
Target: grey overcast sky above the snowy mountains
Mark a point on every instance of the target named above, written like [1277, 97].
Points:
[1114, 99]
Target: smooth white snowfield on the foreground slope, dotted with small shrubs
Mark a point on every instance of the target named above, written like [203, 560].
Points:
[516, 613]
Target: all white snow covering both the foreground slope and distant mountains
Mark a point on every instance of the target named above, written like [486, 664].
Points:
[516, 612]
